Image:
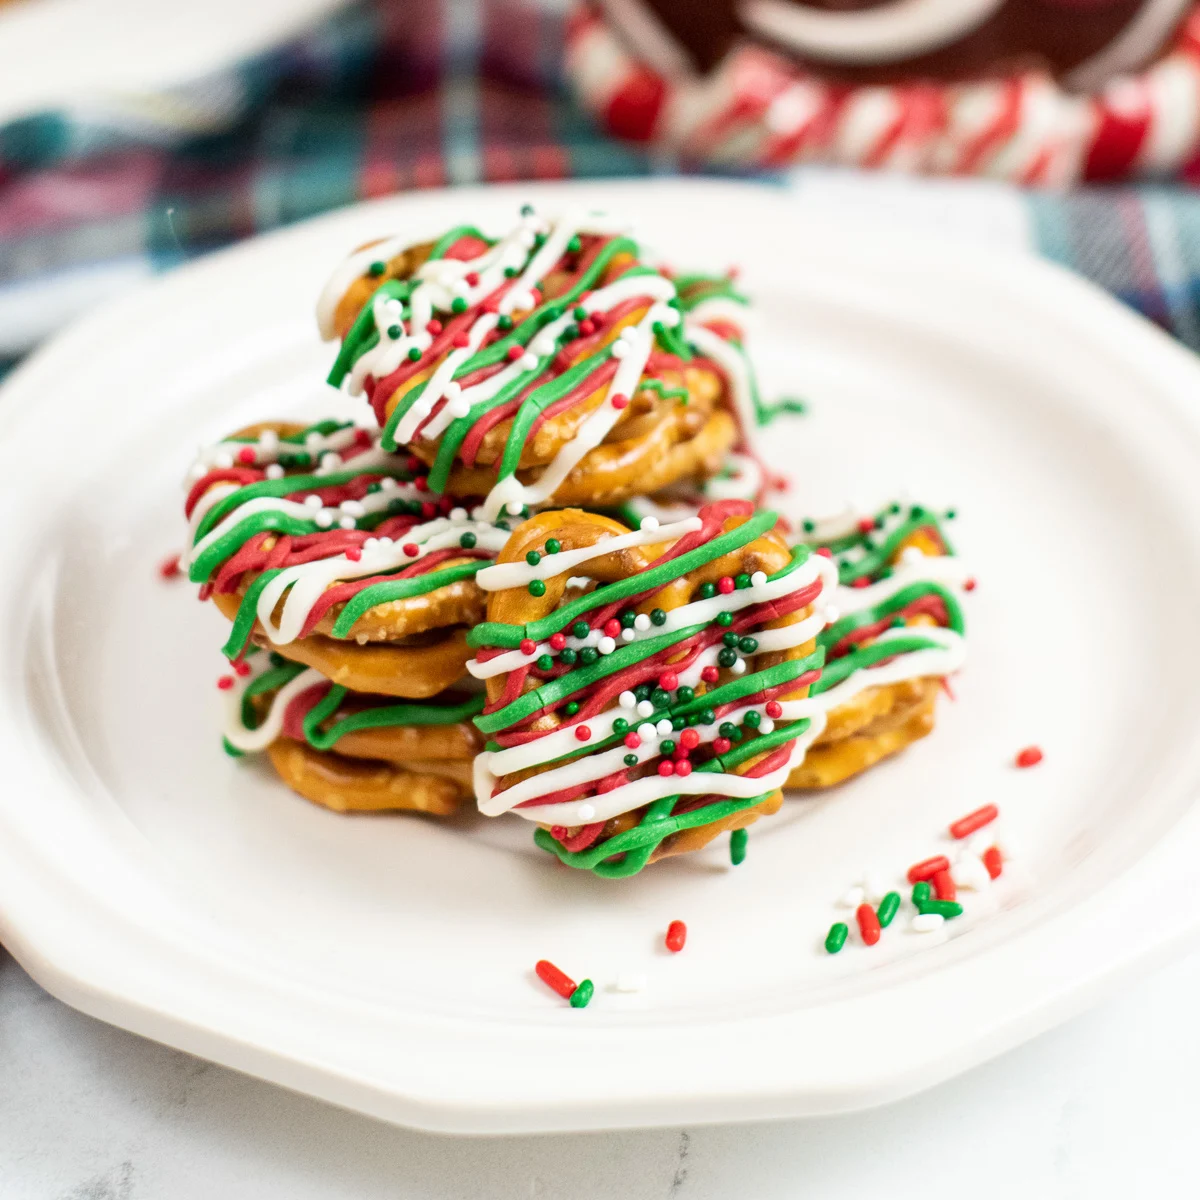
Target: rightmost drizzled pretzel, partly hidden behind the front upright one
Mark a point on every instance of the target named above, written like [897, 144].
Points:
[898, 560]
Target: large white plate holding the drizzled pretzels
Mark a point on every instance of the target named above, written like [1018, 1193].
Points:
[386, 964]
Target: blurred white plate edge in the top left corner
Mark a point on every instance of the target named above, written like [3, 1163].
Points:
[61, 55]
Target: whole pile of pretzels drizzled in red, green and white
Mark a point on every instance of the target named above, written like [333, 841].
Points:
[466, 599]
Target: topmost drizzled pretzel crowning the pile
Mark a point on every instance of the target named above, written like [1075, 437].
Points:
[550, 367]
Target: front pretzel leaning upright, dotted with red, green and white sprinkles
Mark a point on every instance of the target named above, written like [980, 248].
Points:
[721, 622]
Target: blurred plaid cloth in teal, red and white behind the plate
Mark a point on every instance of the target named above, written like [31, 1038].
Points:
[391, 95]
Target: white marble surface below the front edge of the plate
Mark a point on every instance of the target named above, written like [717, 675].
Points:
[1105, 1107]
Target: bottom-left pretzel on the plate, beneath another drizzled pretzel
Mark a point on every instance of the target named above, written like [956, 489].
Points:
[352, 753]
